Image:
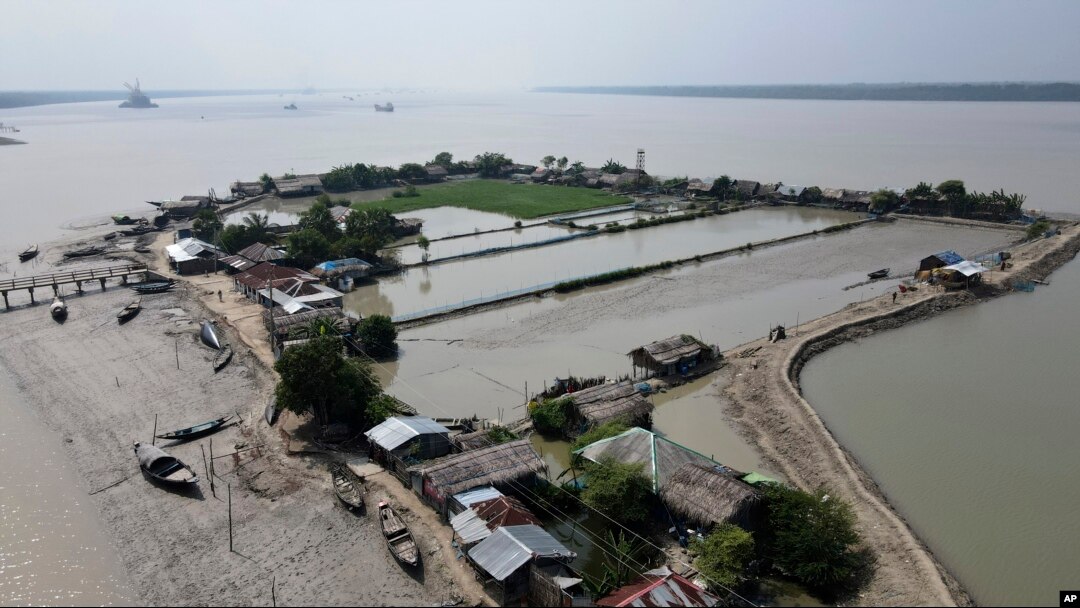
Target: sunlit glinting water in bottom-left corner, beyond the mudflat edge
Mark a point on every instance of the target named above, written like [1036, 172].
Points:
[52, 551]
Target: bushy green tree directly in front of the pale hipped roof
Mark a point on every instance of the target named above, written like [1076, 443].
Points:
[619, 490]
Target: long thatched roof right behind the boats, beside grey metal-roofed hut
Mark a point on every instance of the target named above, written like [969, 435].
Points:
[511, 462]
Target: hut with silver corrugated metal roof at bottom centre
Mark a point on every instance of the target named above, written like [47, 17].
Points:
[504, 561]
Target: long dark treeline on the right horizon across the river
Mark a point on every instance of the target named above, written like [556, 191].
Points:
[897, 92]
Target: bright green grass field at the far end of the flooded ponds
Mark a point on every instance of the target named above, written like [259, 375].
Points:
[525, 201]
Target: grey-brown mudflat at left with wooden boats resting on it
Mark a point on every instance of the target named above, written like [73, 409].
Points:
[175, 548]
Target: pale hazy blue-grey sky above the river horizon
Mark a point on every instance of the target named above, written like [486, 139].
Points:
[467, 45]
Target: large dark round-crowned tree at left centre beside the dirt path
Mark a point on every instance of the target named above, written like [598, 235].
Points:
[317, 377]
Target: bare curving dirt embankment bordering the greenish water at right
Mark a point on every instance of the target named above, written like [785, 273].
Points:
[763, 398]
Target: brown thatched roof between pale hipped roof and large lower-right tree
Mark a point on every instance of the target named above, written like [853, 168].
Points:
[708, 495]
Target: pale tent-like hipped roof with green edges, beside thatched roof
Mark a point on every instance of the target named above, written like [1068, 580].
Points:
[660, 456]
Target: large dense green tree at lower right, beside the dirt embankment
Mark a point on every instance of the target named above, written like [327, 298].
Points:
[813, 537]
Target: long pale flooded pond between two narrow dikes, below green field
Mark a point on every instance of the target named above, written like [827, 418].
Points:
[425, 288]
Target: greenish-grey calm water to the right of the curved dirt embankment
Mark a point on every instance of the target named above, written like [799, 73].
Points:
[968, 423]
